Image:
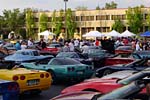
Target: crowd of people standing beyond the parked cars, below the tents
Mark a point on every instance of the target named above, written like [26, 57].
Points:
[106, 43]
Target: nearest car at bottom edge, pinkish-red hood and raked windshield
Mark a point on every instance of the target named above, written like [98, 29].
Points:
[127, 92]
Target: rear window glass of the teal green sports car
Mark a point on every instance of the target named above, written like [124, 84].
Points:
[65, 61]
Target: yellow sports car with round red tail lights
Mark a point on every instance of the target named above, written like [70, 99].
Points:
[29, 80]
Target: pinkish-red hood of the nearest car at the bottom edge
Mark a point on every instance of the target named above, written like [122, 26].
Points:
[83, 95]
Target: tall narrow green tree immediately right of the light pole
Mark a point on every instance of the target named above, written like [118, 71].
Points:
[71, 24]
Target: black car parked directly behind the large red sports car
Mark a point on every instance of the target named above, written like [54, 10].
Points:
[137, 65]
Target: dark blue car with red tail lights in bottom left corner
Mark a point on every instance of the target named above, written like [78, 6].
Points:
[9, 90]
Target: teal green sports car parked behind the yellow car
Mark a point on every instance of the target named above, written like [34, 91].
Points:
[62, 68]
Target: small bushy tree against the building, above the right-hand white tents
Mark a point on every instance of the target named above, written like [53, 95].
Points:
[118, 26]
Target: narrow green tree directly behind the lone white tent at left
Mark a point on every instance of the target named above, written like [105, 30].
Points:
[43, 22]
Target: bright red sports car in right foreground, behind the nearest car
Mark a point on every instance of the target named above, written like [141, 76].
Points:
[105, 85]
